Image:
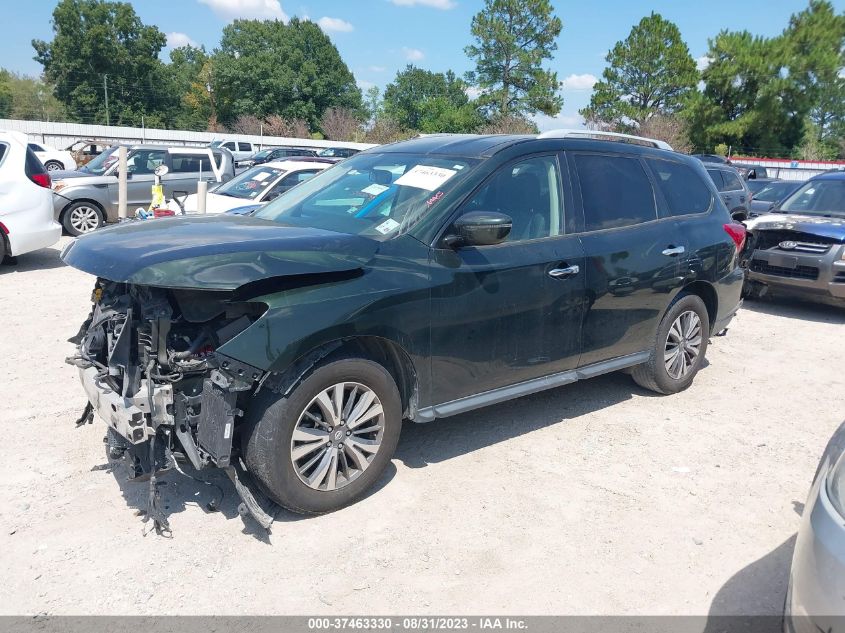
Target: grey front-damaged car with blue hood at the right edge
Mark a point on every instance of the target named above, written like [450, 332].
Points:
[798, 247]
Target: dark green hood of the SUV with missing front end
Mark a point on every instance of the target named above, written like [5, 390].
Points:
[216, 253]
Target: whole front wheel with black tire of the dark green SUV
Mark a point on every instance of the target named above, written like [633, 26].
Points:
[328, 442]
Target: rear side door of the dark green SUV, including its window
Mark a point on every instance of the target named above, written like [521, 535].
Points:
[632, 254]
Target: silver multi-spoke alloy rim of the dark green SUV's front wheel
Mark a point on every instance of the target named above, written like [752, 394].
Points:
[337, 436]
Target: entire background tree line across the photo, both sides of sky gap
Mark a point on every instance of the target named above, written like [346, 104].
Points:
[783, 95]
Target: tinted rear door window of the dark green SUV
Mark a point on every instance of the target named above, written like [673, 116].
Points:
[615, 191]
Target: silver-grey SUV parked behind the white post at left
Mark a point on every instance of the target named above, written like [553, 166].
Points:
[83, 202]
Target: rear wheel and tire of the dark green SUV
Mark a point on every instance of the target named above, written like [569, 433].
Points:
[679, 347]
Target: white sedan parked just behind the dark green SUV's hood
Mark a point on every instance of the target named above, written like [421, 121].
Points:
[254, 186]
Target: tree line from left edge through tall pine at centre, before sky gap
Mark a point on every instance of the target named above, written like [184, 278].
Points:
[103, 66]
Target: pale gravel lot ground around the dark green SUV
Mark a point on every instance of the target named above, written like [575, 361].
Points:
[597, 497]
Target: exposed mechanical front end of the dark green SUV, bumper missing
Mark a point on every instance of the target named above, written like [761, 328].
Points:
[148, 361]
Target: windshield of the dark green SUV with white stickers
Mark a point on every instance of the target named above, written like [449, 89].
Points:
[376, 195]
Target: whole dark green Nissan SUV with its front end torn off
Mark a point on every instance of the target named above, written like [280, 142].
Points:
[413, 281]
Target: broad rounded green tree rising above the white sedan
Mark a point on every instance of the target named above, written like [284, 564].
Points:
[292, 70]
